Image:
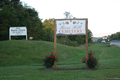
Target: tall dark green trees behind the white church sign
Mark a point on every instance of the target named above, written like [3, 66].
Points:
[13, 14]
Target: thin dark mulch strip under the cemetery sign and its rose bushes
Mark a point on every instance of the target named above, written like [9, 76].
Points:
[66, 69]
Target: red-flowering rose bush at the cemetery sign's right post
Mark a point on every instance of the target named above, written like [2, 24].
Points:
[91, 61]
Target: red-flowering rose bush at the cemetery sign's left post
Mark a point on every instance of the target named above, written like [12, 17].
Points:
[49, 61]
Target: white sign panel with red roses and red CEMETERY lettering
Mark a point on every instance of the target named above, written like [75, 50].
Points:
[71, 27]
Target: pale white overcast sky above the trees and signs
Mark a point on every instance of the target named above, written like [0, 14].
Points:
[103, 15]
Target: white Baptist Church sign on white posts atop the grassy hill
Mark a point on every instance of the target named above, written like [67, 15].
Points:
[16, 32]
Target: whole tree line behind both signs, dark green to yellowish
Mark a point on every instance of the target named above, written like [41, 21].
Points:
[14, 14]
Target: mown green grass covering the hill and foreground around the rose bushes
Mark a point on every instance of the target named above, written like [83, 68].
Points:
[21, 60]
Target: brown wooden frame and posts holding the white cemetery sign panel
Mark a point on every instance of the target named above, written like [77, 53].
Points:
[86, 27]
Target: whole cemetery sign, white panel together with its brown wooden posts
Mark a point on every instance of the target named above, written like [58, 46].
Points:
[70, 27]
